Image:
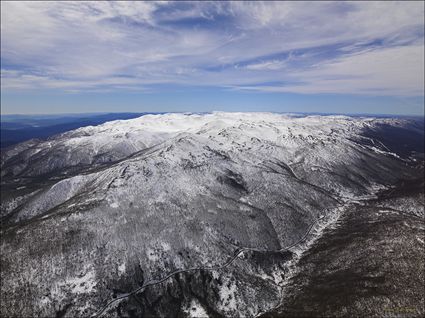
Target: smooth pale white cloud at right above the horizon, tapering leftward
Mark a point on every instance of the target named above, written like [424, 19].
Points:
[390, 71]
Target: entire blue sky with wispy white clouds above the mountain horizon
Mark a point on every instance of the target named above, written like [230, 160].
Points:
[330, 57]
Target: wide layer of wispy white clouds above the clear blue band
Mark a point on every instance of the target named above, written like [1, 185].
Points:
[372, 48]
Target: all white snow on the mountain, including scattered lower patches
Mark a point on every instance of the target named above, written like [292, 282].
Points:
[253, 142]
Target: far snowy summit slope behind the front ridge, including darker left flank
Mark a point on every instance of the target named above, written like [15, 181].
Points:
[118, 139]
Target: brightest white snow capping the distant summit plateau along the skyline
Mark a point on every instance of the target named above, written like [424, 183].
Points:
[136, 134]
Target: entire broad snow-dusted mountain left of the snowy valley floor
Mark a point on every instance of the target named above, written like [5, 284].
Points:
[93, 214]
